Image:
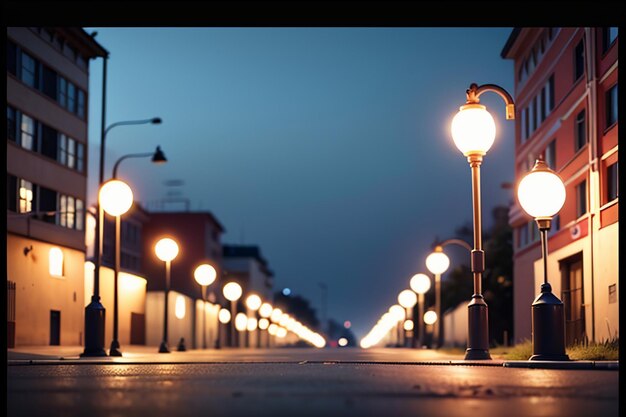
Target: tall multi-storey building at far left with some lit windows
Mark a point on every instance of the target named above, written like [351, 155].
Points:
[47, 124]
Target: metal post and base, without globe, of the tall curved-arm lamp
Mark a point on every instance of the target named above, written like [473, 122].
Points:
[478, 325]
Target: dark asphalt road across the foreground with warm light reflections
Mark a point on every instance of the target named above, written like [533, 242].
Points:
[302, 382]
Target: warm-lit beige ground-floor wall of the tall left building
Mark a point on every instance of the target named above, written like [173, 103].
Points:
[37, 292]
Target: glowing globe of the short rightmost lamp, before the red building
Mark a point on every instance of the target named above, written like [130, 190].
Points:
[541, 192]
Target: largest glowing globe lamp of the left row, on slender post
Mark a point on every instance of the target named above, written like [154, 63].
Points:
[115, 198]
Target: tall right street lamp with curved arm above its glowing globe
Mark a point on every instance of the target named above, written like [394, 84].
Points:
[473, 131]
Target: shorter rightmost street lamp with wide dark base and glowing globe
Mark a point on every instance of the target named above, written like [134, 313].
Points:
[541, 193]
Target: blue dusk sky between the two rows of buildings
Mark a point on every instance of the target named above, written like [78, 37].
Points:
[330, 148]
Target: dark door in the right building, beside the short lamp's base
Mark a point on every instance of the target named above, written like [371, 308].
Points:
[573, 299]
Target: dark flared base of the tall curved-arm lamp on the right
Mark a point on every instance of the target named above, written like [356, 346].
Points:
[478, 330]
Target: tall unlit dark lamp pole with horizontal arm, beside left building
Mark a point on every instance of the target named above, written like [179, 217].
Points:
[95, 312]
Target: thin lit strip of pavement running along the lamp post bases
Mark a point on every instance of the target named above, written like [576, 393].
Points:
[134, 354]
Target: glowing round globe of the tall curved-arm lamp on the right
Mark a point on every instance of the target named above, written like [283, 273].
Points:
[473, 129]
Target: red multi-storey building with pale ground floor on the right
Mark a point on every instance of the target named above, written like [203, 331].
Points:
[566, 82]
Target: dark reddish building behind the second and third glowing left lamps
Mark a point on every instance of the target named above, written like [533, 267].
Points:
[198, 235]
